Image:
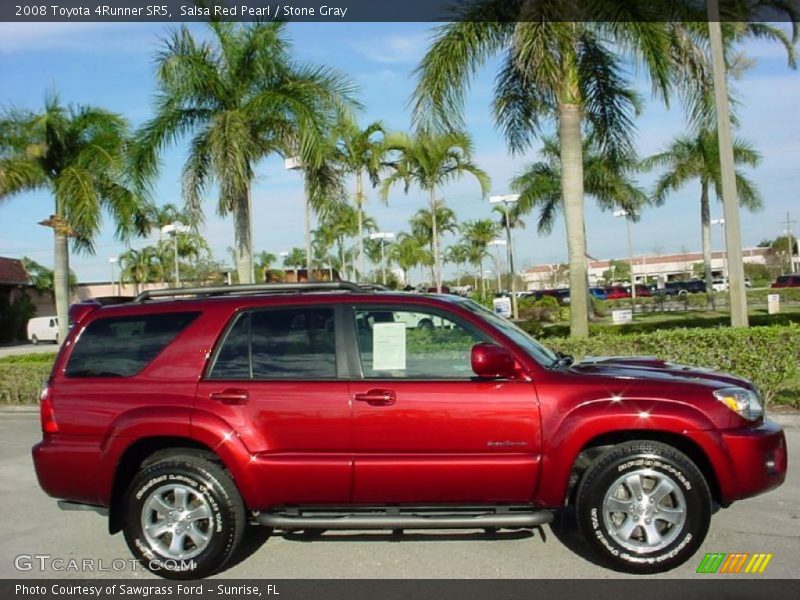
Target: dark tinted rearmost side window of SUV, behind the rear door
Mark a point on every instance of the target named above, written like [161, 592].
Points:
[123, 346]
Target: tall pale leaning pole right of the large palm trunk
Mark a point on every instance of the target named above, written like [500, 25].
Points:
[733, 234]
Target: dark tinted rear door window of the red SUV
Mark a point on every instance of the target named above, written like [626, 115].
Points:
[279, 344]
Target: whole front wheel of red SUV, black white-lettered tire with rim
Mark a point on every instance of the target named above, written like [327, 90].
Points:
[648, 533]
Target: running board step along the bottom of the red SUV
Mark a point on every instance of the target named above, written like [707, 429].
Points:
[513, 520]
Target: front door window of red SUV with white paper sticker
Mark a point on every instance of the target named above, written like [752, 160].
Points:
[414, 345]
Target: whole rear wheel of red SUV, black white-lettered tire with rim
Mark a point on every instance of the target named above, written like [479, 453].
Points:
[208, 529]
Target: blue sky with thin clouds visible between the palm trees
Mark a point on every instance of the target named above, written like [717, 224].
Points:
[110, 65]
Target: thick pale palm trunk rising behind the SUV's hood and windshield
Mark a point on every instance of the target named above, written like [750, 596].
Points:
[569, 136]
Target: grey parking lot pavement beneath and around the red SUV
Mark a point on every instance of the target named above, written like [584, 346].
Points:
[32, 527]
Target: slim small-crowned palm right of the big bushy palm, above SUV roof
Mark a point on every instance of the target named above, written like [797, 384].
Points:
[361, 152]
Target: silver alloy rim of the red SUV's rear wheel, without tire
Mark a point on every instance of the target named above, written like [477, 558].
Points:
[177, 521]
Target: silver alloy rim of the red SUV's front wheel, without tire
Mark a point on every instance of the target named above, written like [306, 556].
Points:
[644, 510]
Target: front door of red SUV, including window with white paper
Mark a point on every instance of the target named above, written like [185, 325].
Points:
[425, 430]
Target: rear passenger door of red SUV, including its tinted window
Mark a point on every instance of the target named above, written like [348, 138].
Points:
[274, 381]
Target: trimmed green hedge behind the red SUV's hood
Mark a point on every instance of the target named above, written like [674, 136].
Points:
[768, 356]
